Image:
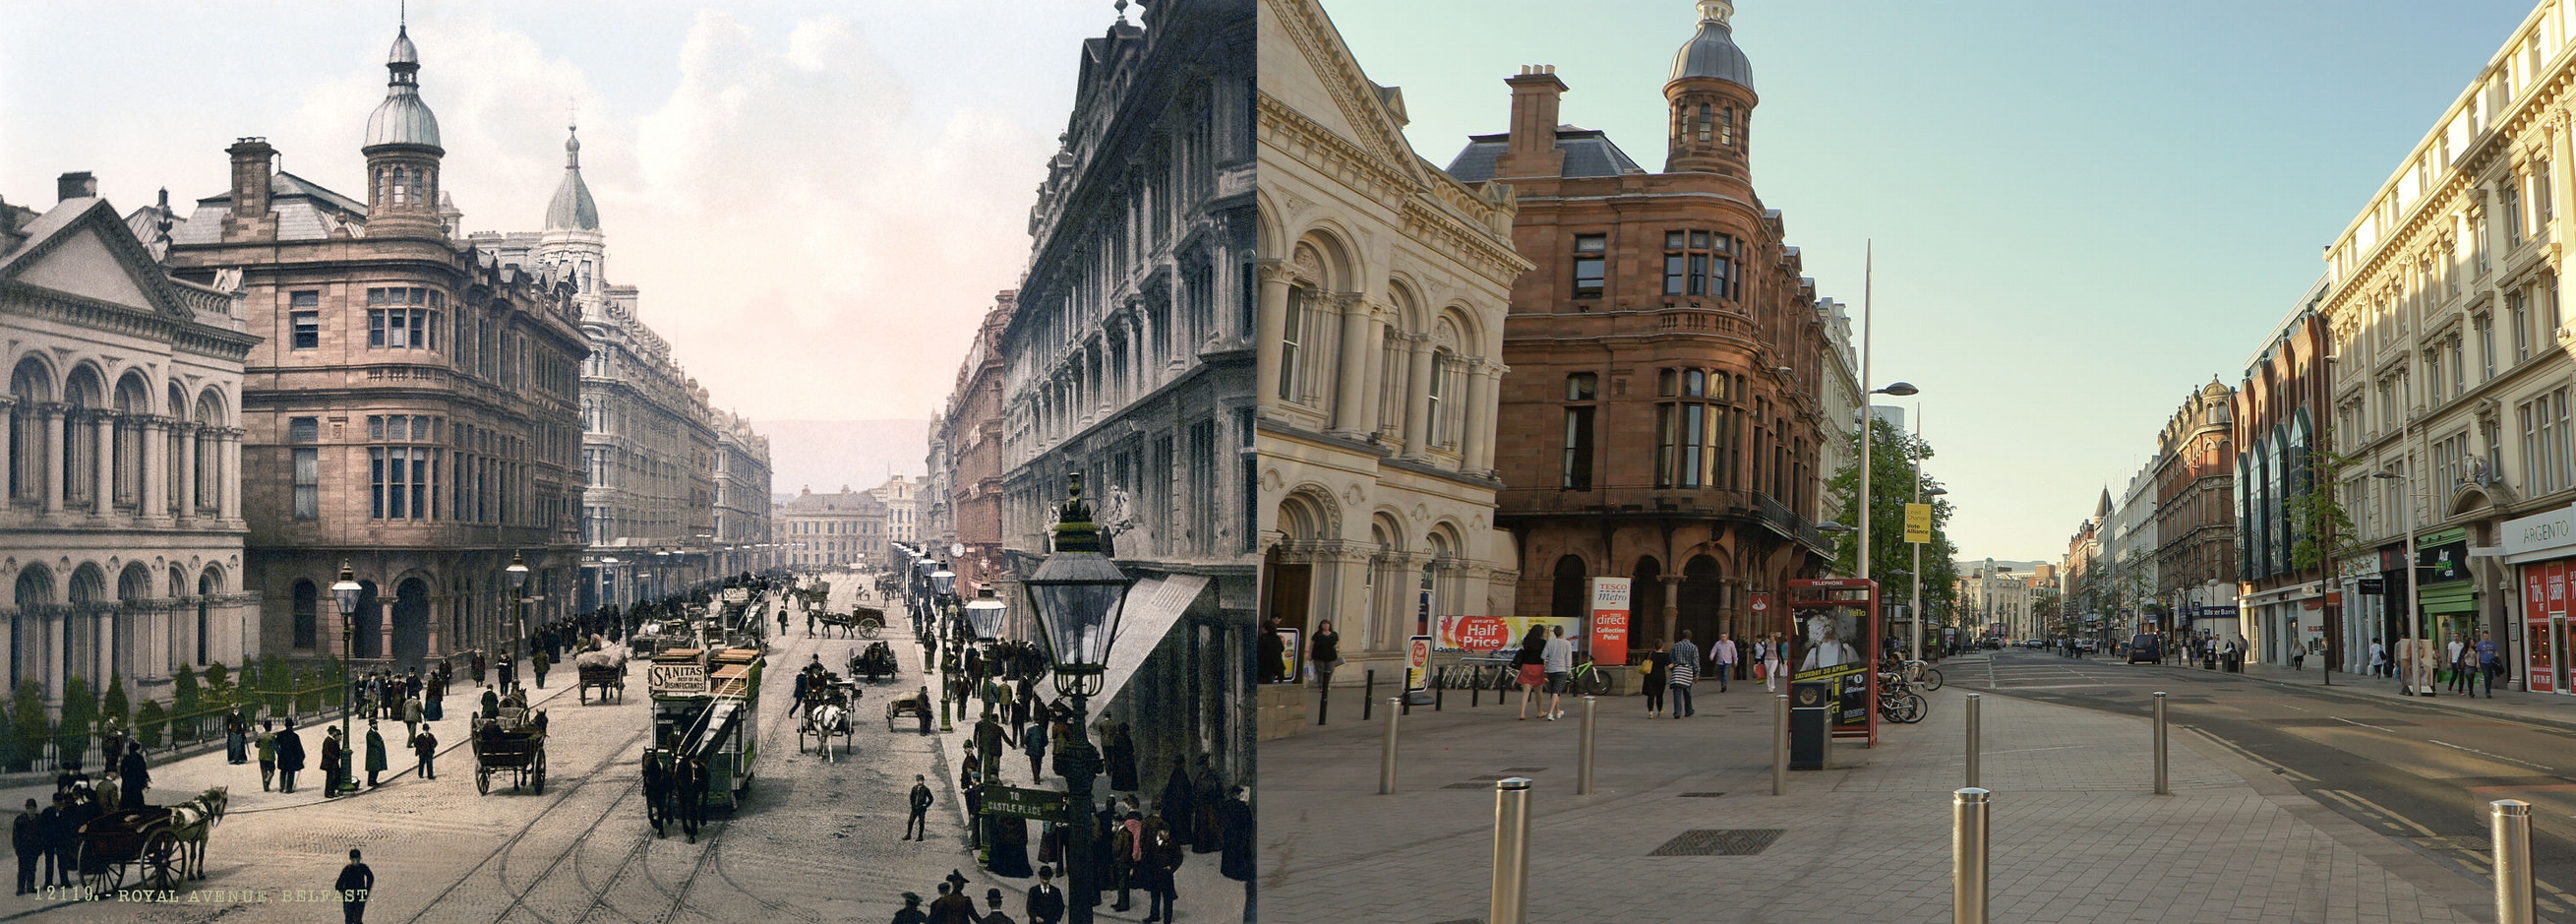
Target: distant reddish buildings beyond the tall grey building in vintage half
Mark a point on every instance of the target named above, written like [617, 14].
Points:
[965, 495]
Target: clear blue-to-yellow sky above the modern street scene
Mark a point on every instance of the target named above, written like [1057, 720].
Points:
[2083, 210]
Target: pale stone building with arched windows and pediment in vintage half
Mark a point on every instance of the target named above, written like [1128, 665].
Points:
[122, 521]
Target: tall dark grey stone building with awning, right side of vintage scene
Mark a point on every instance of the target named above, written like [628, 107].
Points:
[1130, 362]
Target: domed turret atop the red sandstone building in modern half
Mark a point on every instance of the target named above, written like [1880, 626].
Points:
[1712, 97]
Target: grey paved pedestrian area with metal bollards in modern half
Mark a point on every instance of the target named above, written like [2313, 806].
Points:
[2075, 825]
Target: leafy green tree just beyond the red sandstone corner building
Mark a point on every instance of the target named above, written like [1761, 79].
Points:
[1892, 488]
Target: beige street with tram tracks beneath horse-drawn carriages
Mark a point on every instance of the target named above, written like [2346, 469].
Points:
[815, 840]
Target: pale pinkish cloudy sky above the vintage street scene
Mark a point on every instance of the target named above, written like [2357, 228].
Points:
[818, 199]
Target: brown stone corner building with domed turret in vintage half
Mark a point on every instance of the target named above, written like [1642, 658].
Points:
[411, 408]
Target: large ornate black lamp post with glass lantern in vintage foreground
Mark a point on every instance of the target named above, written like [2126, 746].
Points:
[1078, 596]
